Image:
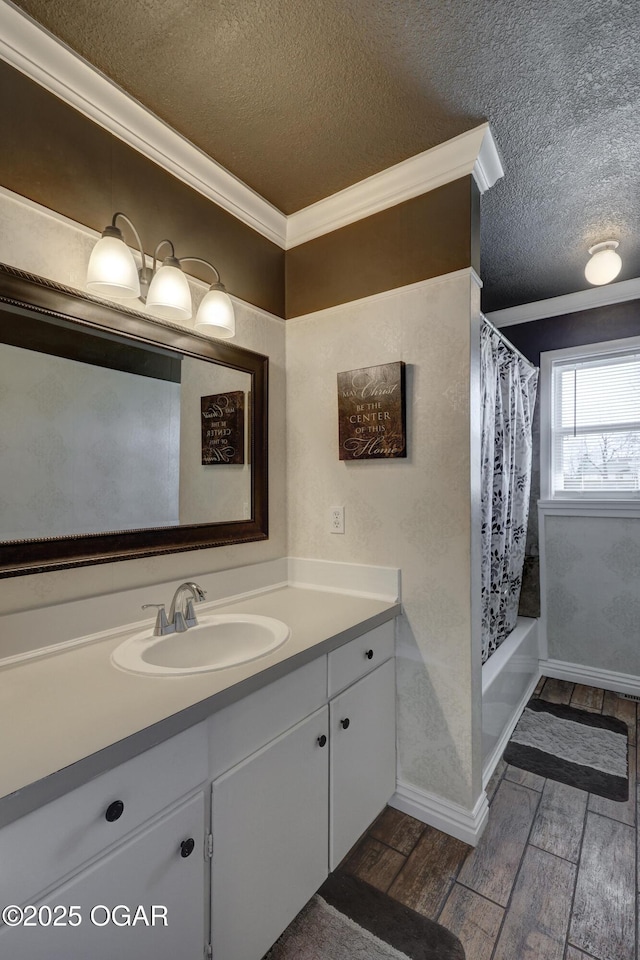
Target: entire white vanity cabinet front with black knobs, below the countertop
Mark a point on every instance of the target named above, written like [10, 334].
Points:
[230, 826]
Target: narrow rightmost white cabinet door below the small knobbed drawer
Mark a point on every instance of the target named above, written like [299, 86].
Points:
[363, 757]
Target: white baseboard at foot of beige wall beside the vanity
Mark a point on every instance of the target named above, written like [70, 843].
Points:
[466, 825]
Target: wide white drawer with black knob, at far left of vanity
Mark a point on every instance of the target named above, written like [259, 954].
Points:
[55, 840]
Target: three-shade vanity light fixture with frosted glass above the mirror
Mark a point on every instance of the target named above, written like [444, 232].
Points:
[112, 273]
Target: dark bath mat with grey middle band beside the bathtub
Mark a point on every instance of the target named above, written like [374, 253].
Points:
[585, 750]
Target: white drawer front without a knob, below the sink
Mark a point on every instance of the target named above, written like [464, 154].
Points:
[243, 727]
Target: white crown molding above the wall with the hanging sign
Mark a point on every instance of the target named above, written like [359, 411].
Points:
[473, 152]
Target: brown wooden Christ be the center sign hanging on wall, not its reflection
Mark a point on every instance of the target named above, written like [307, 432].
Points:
[371, 412]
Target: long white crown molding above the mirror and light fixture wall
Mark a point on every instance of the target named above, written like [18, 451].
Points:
[40, 56]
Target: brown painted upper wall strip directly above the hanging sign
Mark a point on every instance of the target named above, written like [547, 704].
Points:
[424, 237]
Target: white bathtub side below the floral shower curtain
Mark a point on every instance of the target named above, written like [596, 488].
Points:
[509, 677]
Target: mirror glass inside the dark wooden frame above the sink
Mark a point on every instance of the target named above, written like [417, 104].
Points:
[102, 435]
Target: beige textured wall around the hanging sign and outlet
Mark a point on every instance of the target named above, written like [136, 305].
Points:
[415, 513]
